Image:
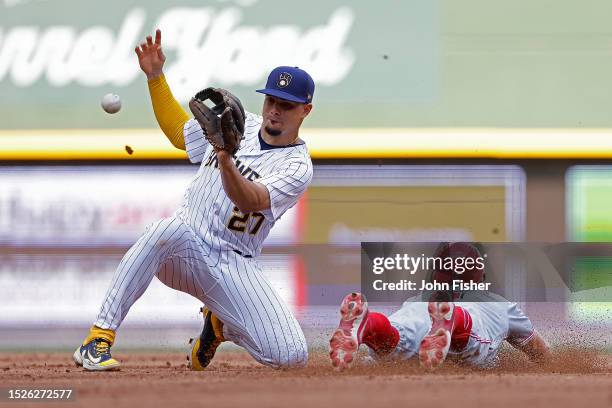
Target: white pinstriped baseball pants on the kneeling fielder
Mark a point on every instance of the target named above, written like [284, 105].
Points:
[233, 287]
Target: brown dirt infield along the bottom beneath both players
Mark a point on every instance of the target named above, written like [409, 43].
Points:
[235, 380]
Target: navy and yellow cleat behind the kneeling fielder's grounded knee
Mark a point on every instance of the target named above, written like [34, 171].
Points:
[203, 348]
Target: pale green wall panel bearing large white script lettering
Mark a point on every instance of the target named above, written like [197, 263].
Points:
[57, 58]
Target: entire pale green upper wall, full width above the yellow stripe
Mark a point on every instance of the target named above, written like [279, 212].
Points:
[410, 63]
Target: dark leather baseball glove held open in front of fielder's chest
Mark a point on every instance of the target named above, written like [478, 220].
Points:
[223, 124]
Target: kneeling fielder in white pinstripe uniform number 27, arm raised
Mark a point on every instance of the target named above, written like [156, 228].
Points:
[209, 247]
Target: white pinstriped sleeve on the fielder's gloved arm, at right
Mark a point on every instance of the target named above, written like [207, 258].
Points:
[286, 186]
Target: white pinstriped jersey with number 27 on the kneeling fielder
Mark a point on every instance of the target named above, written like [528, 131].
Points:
[285, 171]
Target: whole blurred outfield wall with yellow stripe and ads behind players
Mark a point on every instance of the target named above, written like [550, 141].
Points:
[434, 120]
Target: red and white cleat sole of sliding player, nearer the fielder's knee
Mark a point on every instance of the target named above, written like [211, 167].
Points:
[345, 341]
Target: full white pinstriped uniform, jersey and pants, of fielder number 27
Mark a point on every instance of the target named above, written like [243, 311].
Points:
[194, 251]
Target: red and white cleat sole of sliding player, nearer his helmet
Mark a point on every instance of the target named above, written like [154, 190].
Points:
[434, 347]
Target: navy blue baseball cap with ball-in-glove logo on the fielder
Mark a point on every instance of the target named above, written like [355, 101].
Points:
[290, 83]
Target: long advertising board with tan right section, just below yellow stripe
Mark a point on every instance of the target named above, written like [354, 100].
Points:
[97, 206]
